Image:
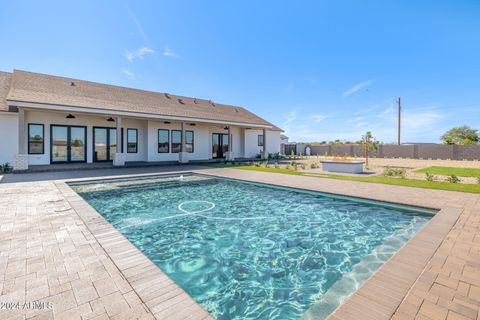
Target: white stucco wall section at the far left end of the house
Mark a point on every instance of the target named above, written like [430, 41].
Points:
[8, 137]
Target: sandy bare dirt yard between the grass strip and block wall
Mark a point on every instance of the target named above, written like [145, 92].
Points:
[378, 165]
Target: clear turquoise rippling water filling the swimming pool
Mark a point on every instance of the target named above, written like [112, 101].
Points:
[254, 251]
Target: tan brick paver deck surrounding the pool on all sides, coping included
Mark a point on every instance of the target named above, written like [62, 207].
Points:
[55, 248]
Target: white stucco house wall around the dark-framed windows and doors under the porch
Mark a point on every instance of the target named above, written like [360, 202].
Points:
[244, 142]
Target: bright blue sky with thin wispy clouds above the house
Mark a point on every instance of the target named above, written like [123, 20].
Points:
[321, 70]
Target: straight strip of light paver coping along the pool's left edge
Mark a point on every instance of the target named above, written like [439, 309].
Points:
[163, 297]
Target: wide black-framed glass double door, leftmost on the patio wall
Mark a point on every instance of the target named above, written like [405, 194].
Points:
[68, 144]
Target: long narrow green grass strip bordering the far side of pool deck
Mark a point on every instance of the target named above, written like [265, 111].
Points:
[439, 185]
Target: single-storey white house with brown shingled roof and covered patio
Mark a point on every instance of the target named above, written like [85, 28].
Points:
[47, 119]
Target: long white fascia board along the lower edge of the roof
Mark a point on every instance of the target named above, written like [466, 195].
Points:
[44, 106]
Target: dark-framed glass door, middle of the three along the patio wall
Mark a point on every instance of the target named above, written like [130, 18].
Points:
[104, 144]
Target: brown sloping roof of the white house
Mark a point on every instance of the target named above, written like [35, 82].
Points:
[48, 89]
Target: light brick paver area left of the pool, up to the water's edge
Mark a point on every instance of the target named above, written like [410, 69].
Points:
[49, 254]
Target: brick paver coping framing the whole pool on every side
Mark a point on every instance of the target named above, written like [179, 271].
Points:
[393, 280]
